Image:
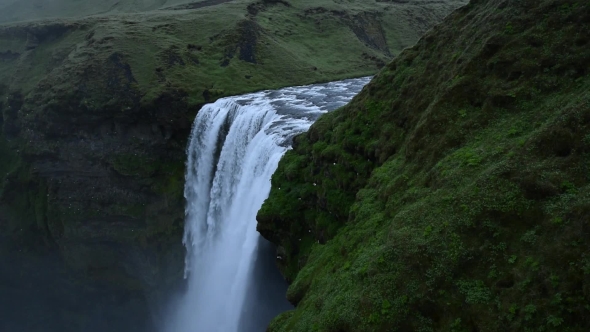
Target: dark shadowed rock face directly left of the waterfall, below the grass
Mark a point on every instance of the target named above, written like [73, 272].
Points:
[95, 187]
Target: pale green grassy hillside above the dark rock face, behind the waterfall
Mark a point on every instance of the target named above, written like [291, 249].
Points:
[214, 51]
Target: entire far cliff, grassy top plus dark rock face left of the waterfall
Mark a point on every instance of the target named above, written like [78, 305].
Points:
[95, 112]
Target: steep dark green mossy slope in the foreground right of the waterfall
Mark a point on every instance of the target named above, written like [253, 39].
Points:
[453, 193]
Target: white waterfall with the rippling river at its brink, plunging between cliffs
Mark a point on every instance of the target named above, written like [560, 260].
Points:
[235, 147]
